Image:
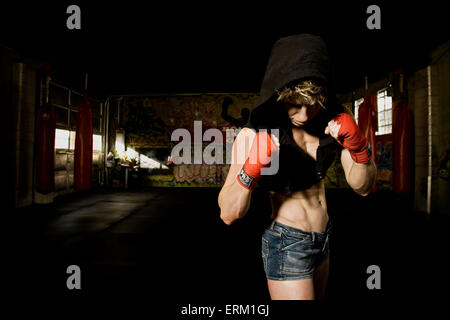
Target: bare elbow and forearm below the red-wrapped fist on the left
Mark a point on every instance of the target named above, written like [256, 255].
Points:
[234, 201]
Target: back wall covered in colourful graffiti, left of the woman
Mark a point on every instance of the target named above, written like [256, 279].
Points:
[150, 120]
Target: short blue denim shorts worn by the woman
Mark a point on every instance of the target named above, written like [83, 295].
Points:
[291, 254]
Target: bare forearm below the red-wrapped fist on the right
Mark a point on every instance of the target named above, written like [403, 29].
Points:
[360, 176]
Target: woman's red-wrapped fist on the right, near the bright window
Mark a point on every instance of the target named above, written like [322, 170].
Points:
[345, 130]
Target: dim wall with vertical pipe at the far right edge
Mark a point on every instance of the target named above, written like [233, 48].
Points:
[440, 133]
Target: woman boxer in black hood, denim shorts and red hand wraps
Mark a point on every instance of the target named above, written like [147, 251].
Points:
[297, 98]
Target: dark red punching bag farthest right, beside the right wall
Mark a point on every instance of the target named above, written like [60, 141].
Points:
[401, 145]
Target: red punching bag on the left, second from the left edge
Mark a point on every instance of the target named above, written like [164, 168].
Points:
[83, 147]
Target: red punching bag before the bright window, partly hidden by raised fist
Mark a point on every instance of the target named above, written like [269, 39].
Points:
[367, 122]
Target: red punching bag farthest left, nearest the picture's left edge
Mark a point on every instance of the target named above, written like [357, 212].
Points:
[45, 149]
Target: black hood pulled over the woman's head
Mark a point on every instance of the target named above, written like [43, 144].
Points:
[293, 59]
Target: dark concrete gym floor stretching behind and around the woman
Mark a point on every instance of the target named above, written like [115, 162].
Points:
[170, 245]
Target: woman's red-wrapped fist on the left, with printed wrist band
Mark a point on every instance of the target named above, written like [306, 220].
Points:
[260, 156]
